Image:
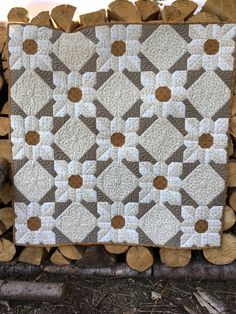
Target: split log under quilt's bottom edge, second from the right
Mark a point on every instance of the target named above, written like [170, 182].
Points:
[175, 258]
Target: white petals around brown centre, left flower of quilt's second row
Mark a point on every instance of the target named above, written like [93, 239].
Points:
[75, 108]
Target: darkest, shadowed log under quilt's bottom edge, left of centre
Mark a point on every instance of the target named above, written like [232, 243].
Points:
[97, 256]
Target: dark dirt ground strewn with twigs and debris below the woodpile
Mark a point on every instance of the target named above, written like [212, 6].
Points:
[130, 296]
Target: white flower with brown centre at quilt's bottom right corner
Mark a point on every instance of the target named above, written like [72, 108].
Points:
[210, 235]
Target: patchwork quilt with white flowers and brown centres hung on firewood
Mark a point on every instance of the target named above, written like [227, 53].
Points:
[119, 133]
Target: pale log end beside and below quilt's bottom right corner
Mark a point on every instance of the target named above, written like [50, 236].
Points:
[224, 255]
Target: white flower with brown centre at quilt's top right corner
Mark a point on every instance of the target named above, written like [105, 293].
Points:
[223, 37]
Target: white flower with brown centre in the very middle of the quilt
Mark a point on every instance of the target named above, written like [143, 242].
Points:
[108, 130]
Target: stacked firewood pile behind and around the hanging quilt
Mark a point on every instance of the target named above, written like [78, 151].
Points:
[137, 258]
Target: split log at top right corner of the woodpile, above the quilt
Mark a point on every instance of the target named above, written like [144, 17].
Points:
[225, 10]
